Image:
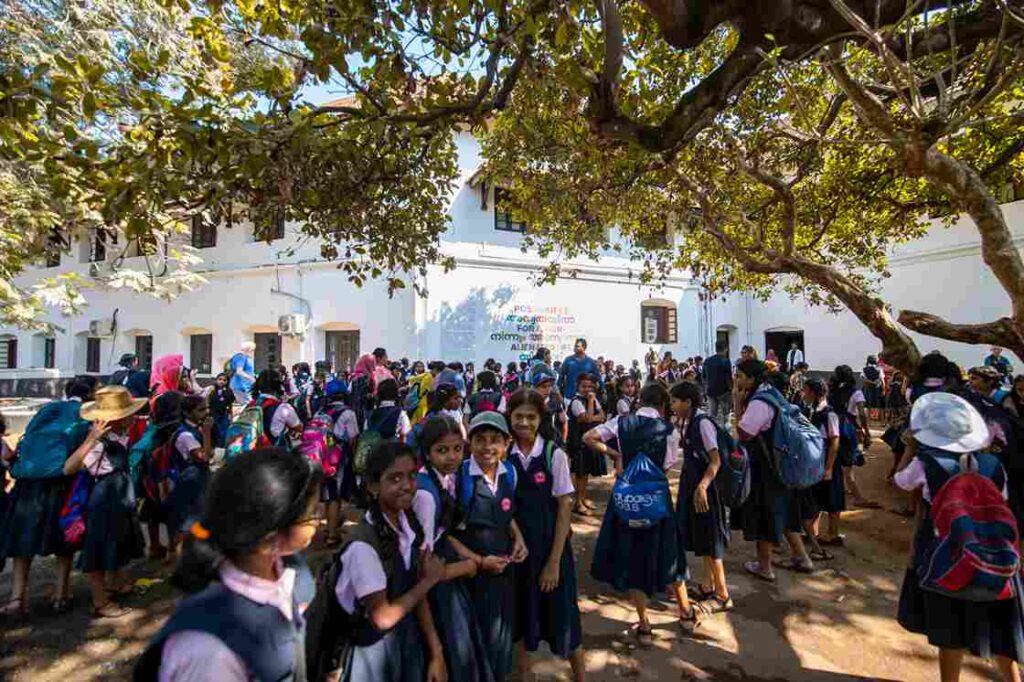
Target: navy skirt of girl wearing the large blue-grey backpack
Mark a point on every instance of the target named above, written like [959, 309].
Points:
[772, 509]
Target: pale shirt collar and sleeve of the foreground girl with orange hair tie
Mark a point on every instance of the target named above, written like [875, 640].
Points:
[193, 656]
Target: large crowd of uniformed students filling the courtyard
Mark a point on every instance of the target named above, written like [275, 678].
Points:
[461, 565]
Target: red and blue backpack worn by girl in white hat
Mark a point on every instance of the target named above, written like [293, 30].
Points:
[974, 556]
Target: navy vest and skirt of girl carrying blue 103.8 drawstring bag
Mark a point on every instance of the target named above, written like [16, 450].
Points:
[644, 560]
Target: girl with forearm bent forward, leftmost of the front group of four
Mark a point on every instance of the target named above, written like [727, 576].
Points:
[382, 583]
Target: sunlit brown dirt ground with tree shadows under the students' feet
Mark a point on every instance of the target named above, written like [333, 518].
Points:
[837, 624]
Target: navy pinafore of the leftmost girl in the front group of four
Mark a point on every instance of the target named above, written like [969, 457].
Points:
[397, 656]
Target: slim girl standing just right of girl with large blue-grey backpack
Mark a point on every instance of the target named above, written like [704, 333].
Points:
[829, 496]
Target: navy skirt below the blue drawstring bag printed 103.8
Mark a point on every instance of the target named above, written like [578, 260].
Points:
[644, 560]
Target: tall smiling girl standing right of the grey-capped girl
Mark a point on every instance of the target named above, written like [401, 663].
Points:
[546, 582]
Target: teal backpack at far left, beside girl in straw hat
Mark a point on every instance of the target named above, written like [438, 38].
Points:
[55, 433]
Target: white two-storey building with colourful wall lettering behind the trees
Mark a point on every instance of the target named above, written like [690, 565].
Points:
[488, 308]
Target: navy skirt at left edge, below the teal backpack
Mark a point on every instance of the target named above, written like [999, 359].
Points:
[30, 526]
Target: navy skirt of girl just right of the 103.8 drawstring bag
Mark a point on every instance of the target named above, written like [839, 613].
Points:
[707, 534]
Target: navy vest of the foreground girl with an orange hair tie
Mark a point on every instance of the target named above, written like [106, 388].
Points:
[271, 647]
